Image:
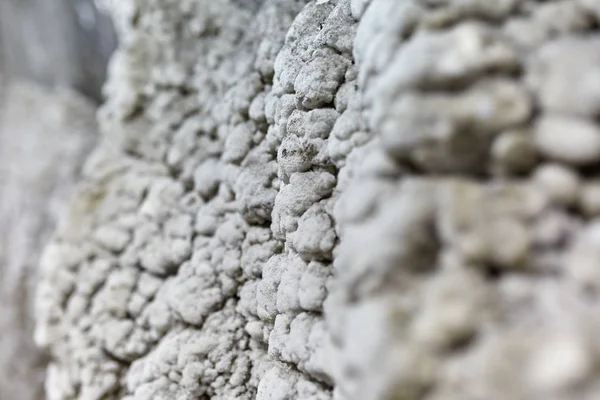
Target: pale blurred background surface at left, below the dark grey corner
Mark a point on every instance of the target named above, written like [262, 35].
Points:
[44, 138]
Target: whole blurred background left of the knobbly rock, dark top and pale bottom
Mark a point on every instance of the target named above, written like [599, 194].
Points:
[53, 56]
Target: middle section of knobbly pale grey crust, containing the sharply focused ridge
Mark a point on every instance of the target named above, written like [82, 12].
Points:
[197, 255]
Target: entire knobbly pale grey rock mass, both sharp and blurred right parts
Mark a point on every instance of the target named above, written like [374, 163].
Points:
[347, 199]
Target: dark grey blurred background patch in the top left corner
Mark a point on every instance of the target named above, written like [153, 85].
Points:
[56, 42]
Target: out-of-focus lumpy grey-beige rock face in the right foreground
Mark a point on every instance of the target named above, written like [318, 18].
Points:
[473, 259]
